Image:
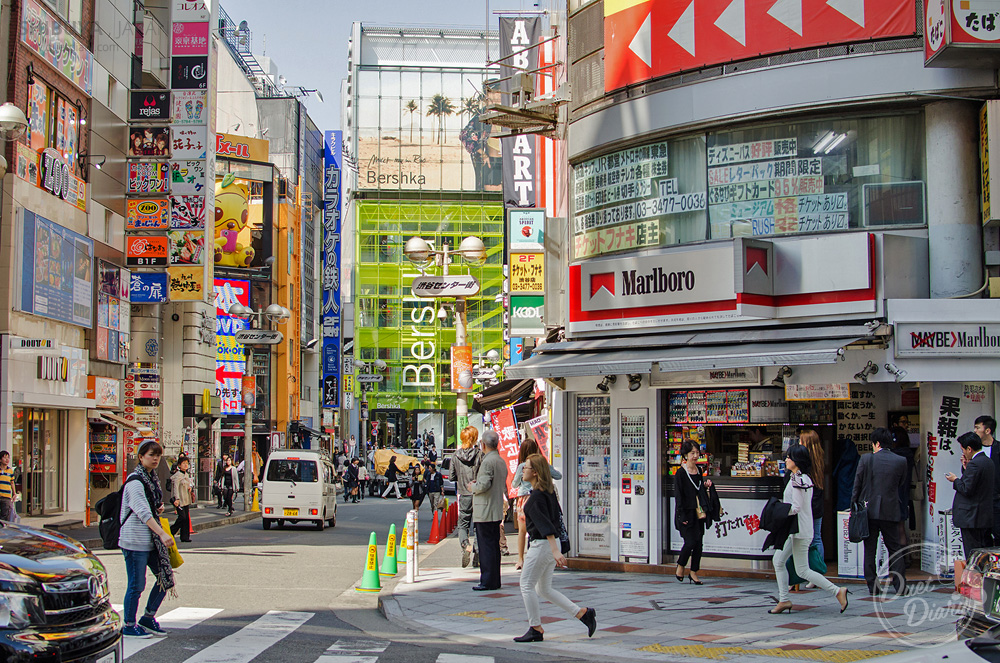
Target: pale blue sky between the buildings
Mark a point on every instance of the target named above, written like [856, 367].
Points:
[307, 39]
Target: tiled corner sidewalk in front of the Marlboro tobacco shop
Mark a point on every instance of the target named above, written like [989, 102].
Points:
[655, 618]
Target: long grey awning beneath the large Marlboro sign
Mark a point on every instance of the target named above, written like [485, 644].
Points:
[683, 358]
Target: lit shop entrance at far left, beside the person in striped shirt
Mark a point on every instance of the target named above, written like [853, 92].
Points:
[38, 448]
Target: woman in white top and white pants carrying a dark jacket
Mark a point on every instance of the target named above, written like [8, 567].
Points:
[798, 493]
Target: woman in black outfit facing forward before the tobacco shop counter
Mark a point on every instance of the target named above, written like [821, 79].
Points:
[690, 514]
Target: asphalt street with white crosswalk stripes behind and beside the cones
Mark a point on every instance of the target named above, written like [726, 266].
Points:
[286, 596]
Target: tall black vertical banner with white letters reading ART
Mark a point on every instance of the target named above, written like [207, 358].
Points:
[517, 34]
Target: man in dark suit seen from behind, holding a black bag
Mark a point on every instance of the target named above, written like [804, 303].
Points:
[879, 483]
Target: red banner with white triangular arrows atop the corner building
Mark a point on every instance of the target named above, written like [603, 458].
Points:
[653, 38]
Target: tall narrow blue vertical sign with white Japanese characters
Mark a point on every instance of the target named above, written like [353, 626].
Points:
[333, 159]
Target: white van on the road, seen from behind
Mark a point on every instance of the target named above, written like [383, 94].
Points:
[299, 485]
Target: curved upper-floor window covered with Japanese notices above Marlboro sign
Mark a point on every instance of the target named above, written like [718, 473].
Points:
[814, 176]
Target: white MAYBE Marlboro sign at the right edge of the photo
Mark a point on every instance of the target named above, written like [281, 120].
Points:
[947, 340]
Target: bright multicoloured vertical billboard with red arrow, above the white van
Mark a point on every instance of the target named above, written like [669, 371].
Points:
[230, 359]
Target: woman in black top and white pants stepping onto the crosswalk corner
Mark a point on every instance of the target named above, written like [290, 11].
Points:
[541, 515]
